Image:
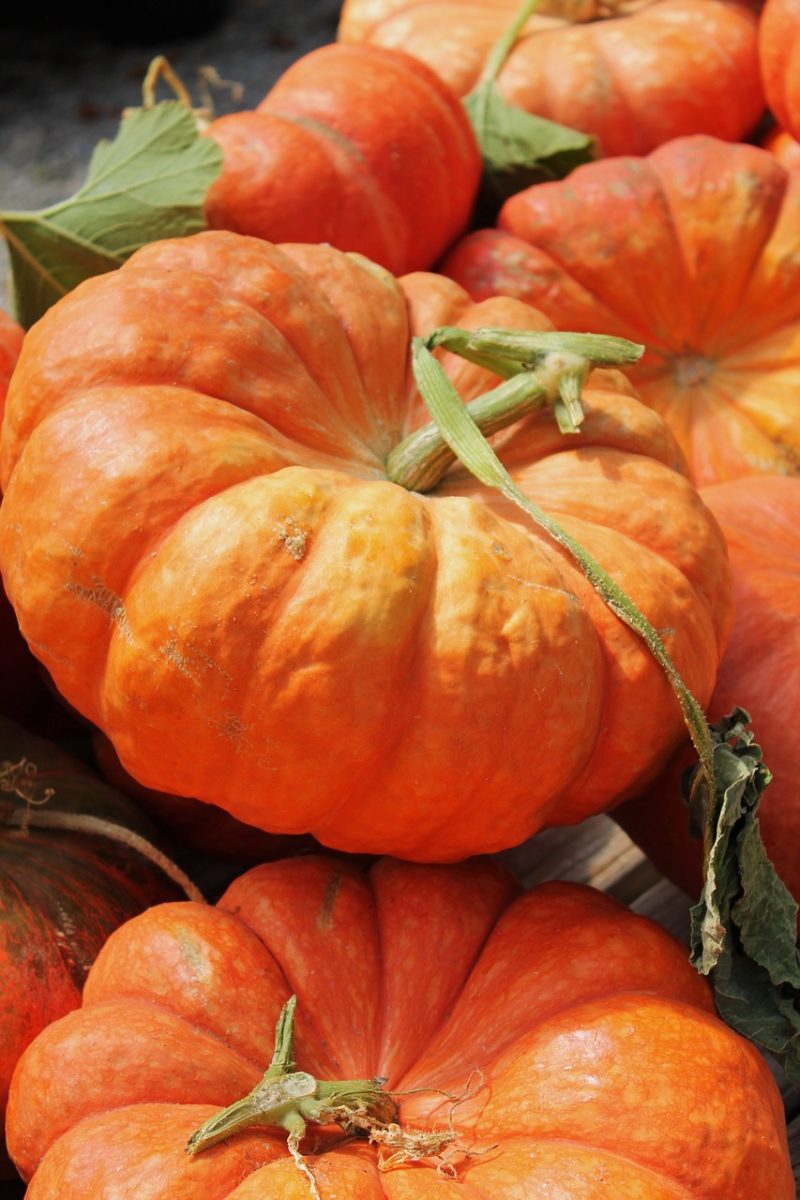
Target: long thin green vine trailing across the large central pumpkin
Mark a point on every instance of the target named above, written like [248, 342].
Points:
[470, 446]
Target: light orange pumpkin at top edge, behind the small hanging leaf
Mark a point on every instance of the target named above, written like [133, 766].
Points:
[634, 76]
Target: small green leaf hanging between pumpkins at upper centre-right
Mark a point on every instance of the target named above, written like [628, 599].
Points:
[519, 148]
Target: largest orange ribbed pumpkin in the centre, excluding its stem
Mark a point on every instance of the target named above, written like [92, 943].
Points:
[256, 617]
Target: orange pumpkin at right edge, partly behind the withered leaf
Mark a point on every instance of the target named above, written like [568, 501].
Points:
[760, 673]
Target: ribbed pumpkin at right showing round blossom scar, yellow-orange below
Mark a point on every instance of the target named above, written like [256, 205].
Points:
[695, 251]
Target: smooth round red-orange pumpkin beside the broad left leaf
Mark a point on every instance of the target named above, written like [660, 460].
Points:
[358, 147]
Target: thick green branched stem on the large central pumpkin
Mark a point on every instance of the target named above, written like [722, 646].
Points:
[539, 369]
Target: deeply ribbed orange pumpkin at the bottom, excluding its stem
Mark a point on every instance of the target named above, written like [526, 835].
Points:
[606, 1064]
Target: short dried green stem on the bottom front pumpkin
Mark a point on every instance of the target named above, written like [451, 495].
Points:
[291, 1100]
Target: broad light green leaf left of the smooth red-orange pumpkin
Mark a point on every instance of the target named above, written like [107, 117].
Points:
[149, 183]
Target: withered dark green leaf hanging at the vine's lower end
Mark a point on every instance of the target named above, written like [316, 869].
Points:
[744, 928]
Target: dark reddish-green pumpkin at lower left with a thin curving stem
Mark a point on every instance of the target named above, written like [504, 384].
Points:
[73, 871]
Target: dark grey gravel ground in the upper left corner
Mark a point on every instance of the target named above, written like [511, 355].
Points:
[63, 87]
